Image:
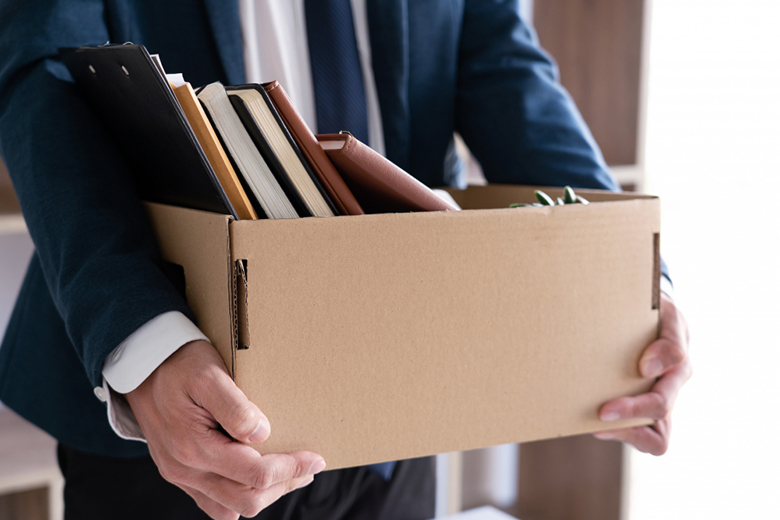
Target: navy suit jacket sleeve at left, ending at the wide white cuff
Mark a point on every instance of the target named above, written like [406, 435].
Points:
[75, 188]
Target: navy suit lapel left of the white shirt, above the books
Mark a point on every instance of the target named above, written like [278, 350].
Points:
[226, 25]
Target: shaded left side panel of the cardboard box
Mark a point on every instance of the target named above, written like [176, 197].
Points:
[198, 241]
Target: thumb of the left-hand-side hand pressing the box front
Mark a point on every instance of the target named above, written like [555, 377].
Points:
[241, 418]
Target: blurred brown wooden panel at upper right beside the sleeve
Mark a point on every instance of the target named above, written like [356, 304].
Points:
[598, 47]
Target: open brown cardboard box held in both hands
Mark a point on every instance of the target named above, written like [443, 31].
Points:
[383, 337]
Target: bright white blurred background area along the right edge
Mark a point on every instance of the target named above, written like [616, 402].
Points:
[713, 137]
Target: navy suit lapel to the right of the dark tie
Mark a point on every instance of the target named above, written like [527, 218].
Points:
[388, 26]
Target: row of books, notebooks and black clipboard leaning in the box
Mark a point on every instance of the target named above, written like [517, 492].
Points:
[243, 150]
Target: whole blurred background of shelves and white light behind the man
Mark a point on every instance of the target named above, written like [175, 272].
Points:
[682, 96]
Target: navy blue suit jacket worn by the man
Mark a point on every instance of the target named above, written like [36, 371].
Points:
[441, 66]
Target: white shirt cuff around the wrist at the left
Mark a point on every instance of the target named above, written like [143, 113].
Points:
[135, 359]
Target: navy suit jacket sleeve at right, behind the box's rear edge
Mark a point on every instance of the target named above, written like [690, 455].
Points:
[511, 110]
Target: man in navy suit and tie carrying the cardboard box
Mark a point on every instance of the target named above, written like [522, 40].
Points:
[95, 284]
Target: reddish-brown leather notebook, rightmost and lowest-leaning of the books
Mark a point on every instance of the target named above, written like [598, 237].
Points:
[379, 185]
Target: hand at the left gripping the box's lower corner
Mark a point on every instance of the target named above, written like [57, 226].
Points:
[180, 408]
